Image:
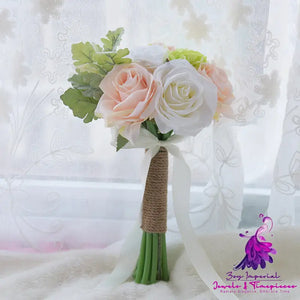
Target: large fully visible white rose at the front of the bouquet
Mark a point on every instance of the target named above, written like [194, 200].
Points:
[188, 101]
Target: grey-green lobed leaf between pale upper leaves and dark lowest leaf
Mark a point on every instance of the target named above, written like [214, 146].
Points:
[88, 84]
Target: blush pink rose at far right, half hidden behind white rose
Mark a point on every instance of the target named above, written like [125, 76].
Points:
[225, 92]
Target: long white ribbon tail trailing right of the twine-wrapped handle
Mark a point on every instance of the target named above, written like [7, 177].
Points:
[181, 194]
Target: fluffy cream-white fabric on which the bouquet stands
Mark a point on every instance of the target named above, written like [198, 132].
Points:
[75, 274]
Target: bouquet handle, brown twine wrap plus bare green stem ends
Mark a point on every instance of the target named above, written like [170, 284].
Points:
[152, 262]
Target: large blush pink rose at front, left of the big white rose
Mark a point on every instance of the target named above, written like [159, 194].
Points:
[129, 98]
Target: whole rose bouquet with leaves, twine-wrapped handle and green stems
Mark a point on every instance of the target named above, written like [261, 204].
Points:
[150, 97]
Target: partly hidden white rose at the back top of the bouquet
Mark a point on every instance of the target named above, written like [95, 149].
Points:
[150, 56]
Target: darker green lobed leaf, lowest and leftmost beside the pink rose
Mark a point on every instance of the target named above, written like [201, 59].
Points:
[83, 107]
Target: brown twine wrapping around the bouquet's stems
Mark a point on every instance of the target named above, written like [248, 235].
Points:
[154, 211]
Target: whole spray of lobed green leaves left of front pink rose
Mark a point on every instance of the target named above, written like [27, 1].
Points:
[92, 63]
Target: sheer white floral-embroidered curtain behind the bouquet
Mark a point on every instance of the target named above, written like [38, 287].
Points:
[62, 185]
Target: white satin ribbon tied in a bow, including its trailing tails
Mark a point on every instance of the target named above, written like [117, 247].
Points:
[181, 196]
